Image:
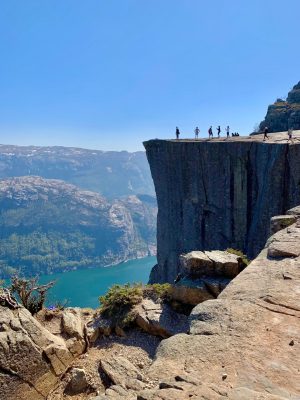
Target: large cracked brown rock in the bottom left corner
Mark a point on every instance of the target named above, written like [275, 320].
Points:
[31, 358]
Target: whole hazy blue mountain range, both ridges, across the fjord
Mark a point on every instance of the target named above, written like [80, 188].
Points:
[51, 225]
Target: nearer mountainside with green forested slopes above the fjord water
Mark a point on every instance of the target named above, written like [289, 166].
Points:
[48, 225]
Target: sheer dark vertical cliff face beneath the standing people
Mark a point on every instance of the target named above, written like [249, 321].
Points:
[215, 195]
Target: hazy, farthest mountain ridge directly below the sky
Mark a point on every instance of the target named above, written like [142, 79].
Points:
[111, 173]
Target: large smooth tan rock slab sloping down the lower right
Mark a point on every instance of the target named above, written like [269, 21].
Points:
[243, 345]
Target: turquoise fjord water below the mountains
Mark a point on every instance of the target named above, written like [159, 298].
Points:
[83, 287]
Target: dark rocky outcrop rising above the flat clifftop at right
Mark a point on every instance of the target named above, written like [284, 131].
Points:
[284, 114]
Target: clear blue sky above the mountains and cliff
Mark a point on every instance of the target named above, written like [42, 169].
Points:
[109, 74]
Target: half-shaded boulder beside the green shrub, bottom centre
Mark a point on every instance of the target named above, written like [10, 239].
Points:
[159, 319]
